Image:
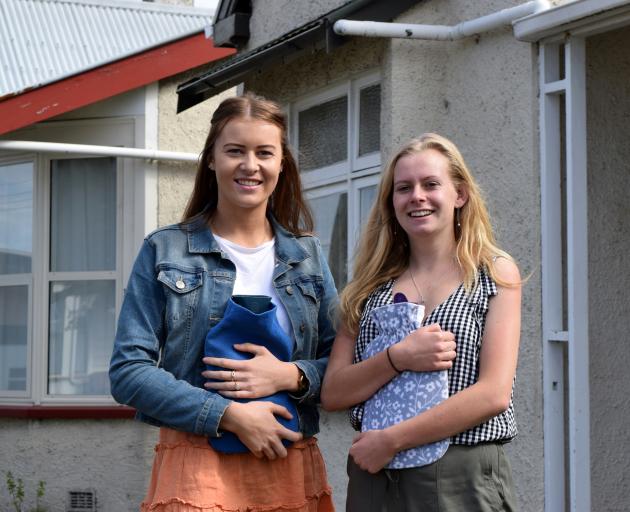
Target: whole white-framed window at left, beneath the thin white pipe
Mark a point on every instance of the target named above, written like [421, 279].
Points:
[61, 271]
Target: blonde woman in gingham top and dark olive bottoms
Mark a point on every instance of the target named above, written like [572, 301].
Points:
[429, 238]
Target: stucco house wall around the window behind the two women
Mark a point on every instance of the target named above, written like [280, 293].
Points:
[481, 94]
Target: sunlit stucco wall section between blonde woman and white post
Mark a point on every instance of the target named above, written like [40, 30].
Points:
[481, 94]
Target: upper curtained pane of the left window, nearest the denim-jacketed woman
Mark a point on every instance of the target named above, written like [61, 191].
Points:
[83, 215]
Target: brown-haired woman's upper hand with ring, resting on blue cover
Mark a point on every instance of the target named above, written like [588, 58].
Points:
[261, 376]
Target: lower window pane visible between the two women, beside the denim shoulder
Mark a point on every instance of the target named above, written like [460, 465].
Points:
[331, 226]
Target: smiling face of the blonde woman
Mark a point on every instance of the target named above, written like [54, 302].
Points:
[424, 195]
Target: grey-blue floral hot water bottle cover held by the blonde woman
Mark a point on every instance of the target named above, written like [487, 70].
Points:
[408, 394]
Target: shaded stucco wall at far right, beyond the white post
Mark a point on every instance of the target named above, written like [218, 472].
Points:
[608, 114]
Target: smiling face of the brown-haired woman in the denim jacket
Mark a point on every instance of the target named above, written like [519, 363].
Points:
[247, 160]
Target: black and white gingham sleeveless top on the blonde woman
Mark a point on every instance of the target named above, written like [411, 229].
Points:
[464, 315]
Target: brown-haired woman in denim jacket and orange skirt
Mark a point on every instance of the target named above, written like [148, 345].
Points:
[245, 233]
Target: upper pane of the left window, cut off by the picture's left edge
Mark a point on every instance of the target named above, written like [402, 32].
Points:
[16, 218]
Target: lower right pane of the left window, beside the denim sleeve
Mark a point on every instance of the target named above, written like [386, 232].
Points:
[82, 322]
